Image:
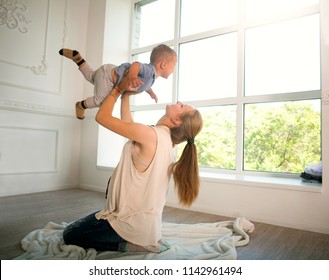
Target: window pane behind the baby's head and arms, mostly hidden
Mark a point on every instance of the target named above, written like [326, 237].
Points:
[161, 87]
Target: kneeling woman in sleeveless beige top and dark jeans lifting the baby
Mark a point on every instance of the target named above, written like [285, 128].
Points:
[131, 220]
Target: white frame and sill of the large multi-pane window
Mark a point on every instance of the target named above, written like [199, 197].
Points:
[238, 174]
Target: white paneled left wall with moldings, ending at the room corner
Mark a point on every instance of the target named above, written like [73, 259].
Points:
[39, 134]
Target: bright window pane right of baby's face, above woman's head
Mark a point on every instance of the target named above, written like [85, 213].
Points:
[208, 68]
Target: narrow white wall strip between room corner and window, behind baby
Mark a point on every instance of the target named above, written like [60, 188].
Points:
[110, 44]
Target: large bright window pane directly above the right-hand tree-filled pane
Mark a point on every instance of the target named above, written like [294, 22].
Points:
[283, 57]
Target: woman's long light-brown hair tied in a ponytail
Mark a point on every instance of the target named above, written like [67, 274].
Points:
[186, 170]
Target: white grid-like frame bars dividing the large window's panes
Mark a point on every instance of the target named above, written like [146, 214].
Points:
[240, 100]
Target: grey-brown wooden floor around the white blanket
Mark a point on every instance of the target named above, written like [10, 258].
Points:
[22, 214]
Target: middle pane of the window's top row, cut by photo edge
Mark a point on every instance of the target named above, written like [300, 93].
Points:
[197, 16]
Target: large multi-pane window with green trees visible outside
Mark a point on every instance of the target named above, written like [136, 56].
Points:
[253, 69]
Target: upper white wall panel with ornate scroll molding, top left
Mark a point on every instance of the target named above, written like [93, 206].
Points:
[32, 32]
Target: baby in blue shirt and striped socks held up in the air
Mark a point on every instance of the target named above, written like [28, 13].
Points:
[141, 76]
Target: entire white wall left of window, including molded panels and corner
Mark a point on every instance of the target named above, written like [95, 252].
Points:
[38, 107]
